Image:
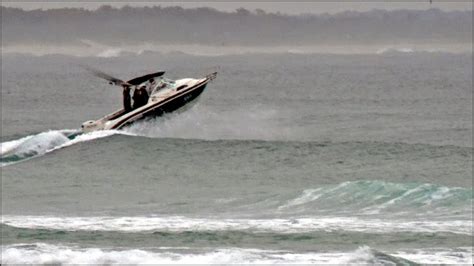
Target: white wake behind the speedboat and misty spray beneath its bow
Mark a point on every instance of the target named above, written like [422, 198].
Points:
[193, 123]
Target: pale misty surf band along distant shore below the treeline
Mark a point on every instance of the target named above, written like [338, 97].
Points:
[91, 48]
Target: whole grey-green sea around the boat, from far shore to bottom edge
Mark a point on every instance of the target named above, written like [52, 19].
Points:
[285, 158]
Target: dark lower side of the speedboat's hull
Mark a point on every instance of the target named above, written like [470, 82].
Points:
[161, 108]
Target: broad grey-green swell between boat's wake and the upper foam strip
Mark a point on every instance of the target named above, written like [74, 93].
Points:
[242, 178]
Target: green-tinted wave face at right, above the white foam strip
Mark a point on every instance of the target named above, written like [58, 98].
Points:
[380, 197]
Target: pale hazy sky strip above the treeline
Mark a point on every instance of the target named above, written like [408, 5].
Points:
[288, 7]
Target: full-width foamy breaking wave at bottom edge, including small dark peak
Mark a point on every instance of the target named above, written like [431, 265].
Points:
[41, 253]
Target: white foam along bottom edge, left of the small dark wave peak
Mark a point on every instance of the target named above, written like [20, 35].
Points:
[49, 254]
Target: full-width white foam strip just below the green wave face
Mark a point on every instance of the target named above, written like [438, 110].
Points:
[181, 223]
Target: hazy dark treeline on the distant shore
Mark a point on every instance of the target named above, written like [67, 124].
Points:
[175, 25]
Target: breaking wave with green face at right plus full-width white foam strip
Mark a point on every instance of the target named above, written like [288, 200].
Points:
[356, 206]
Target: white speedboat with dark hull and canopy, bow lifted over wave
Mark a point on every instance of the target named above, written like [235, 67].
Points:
[165, 96]
